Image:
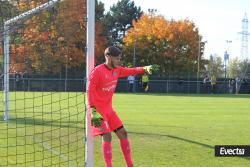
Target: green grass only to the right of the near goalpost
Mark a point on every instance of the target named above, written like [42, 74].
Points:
[181, 130]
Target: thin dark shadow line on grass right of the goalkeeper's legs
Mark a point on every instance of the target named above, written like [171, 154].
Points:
[181, 139]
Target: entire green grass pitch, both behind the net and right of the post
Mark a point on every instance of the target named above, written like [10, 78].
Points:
[164, 130]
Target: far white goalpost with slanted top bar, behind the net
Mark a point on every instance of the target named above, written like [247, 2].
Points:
[7, 25]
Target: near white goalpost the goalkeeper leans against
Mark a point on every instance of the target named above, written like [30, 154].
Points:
[90, 55]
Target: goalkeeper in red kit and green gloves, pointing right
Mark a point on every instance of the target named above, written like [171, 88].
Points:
[100, 89]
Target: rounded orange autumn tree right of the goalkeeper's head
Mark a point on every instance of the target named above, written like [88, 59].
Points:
[174, 45]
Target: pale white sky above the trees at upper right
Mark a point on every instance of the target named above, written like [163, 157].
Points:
[217, 20]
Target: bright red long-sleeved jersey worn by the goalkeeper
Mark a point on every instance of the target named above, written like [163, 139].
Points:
[103, 81]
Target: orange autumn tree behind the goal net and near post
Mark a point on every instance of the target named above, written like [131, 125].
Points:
[53, 39]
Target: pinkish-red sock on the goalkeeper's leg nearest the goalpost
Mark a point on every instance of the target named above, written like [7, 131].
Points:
[107, 153]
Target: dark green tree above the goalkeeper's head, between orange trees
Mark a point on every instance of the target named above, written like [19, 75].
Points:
[119, 19]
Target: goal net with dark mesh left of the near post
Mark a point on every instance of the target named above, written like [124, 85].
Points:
[43, 118]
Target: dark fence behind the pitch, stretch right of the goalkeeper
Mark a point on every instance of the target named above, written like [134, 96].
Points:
[185, 86]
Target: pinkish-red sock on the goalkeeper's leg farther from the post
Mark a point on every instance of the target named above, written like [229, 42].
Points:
[124, 143]
